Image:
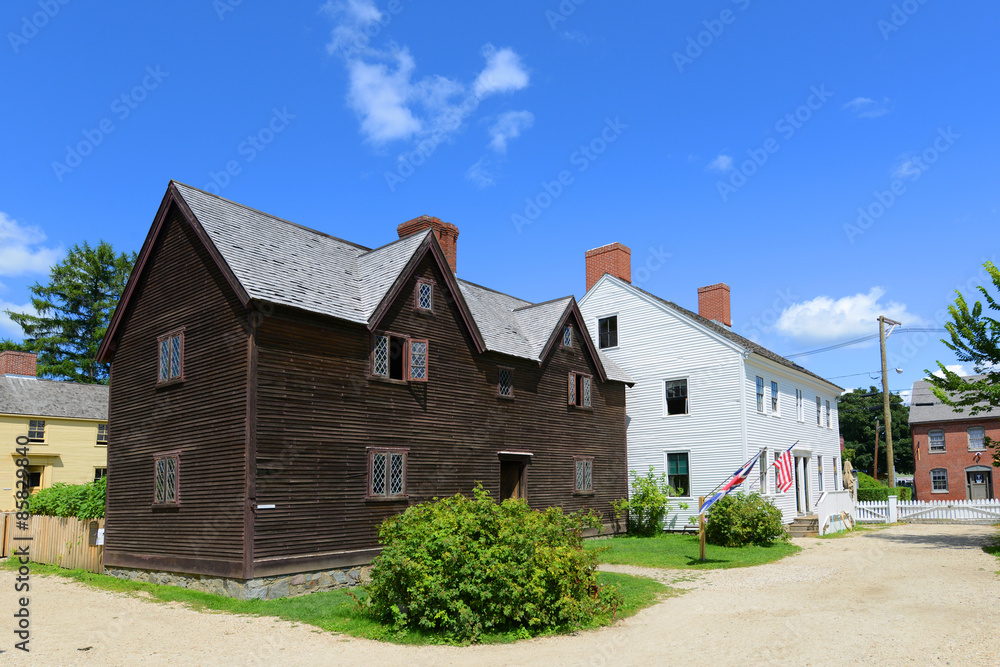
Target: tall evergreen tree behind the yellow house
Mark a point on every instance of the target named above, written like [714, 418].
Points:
[74, 310]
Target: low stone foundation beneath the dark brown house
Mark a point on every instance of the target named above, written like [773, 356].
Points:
[263, 588]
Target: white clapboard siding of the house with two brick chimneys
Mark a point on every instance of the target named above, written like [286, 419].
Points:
[722, 429]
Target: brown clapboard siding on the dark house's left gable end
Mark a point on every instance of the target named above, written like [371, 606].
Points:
[204, 417]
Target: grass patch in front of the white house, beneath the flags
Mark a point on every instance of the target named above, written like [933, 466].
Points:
[680, 551]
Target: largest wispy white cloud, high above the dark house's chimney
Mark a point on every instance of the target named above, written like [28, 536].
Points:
[391, 104]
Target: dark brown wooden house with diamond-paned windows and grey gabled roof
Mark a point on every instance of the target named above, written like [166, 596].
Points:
[277, 392]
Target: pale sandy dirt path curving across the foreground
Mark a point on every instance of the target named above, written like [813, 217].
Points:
[920, 594]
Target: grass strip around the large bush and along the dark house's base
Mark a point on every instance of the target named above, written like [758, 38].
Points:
[335, 611]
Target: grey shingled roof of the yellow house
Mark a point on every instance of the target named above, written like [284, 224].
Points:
[52, 398]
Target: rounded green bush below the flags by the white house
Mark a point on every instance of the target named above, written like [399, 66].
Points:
[741, 519]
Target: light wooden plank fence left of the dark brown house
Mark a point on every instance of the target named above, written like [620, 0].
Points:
[66, 542]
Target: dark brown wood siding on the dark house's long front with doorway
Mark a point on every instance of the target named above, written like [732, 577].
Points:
[318, 411]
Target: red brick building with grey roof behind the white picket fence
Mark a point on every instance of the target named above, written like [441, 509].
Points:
[950, 458]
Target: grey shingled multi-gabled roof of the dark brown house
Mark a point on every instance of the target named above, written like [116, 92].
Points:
[268, 259]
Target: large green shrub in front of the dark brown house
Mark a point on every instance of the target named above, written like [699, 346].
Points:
[464, 567]
